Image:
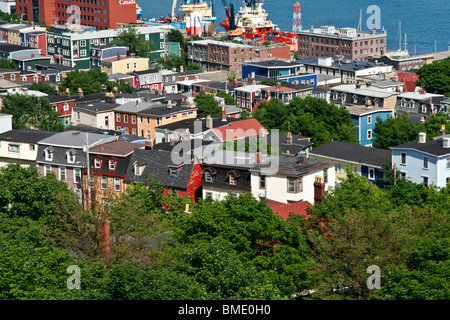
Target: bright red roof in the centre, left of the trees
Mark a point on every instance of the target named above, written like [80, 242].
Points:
[239, 129]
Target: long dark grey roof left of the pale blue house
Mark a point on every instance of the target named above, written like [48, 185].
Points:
[337, 150]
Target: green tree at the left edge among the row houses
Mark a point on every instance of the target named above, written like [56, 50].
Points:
[31, 112]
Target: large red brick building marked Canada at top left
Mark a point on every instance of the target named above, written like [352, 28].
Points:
[102, 14]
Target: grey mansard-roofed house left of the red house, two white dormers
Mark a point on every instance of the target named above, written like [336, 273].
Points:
[64, 154]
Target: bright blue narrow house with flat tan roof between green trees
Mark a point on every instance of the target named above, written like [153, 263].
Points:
[364, 119]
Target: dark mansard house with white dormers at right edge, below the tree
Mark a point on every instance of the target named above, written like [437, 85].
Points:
[419, 106]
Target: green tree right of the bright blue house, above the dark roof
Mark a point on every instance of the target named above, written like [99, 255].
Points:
[395, 131]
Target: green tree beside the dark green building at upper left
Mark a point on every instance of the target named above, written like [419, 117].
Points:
[136, 44]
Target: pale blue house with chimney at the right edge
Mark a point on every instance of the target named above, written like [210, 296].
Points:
[423, 161]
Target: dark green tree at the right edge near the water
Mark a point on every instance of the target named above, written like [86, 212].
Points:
[435, 77]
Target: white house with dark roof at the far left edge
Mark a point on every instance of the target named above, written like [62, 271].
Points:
[21, 146]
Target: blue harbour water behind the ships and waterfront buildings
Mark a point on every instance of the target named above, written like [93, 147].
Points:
[426, 23]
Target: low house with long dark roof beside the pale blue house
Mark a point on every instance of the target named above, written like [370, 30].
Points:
[367, 162]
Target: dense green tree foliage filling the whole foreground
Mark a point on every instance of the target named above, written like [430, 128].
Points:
[232, 249]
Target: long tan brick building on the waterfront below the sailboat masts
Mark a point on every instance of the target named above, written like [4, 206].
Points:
[330, 41]
